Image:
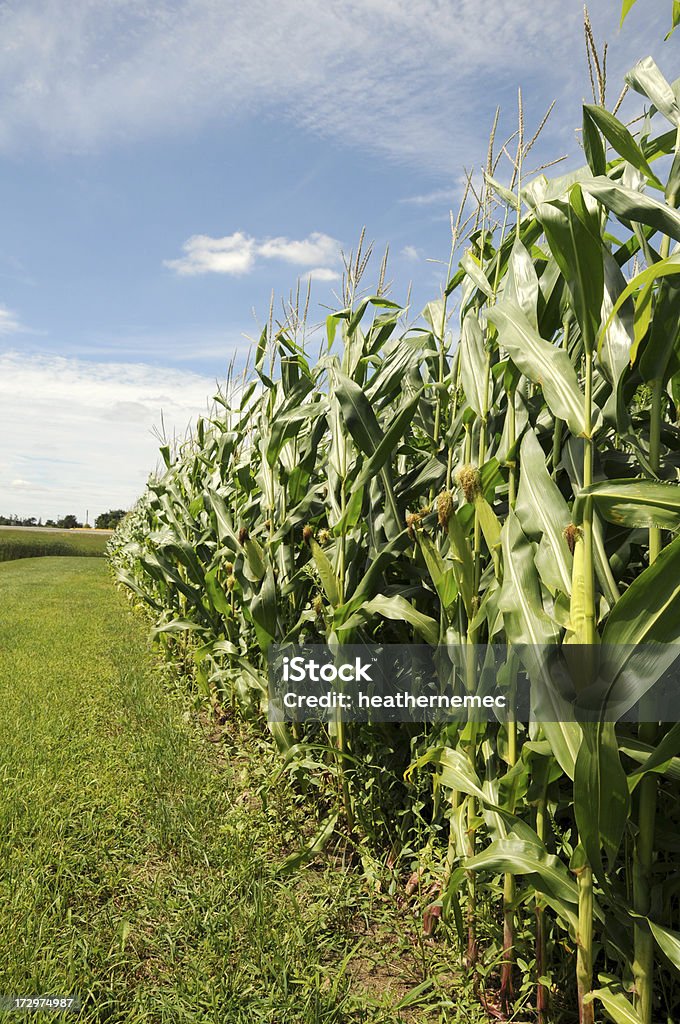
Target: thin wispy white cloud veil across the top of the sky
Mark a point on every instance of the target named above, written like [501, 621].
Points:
[415, 79]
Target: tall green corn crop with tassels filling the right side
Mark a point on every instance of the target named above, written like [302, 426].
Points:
[504, 471]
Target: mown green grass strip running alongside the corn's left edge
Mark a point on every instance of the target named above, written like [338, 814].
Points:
[139, 860]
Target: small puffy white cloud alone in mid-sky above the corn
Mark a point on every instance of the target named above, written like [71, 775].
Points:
[237, 254]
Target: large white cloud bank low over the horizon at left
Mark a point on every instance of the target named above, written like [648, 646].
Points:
[90, 442]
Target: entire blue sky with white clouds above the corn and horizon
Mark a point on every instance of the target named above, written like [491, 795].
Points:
[165, 166]
